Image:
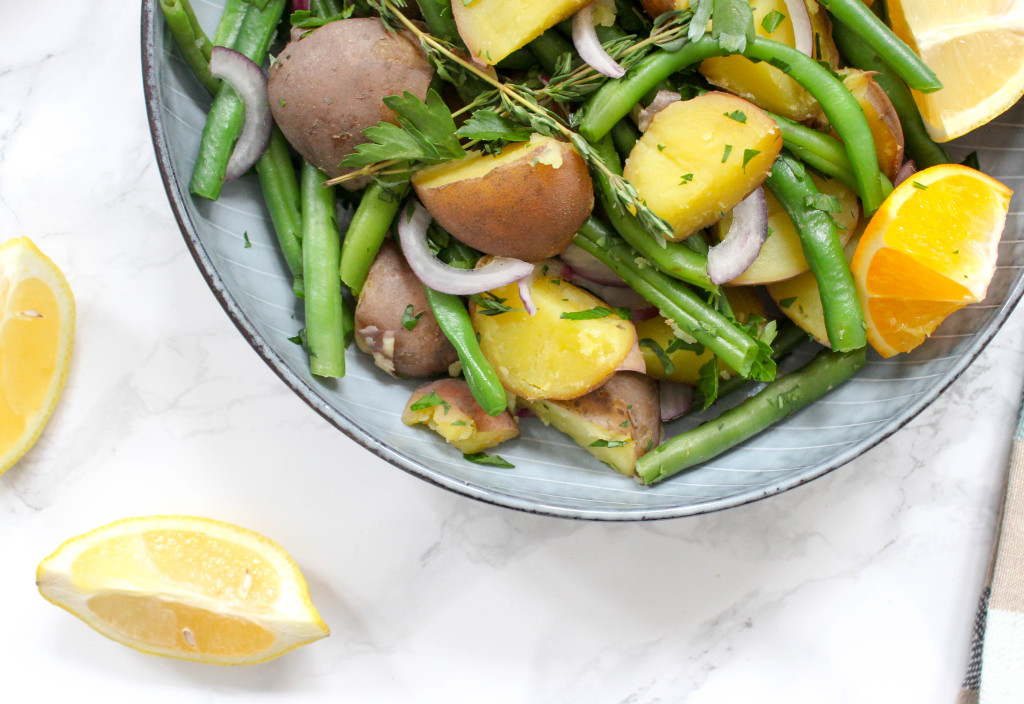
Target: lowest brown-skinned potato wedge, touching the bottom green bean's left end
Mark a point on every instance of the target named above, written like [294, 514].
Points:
[618, 424]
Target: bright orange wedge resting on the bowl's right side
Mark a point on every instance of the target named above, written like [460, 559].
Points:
[929, 251]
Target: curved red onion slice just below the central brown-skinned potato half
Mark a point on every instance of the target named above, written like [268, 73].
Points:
[439, 276]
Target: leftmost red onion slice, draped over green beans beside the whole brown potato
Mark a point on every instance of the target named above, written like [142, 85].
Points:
[249, 82]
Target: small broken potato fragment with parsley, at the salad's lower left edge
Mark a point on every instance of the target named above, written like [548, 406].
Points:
[456, 416]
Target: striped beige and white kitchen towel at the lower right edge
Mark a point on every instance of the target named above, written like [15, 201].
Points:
[996, 674]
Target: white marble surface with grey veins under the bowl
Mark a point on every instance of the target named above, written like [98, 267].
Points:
[861, 587]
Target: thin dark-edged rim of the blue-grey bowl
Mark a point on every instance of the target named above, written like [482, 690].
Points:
[382, 451]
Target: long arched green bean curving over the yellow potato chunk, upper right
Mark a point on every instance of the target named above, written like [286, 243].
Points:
[616, 99]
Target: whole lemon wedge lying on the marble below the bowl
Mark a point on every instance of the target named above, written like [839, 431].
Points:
[185, 588]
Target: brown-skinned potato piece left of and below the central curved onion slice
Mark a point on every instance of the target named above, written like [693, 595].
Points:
[391, 288]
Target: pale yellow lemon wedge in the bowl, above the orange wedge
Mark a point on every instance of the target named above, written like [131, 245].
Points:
[977, 51]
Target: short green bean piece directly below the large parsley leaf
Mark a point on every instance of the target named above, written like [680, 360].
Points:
[368, 230]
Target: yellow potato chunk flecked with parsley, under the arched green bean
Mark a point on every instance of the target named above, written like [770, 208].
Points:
[696, 163]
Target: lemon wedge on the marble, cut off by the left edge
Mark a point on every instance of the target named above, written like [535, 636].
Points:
[37, 331]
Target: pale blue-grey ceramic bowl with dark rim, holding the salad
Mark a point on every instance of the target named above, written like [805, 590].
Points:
[236, 251]
